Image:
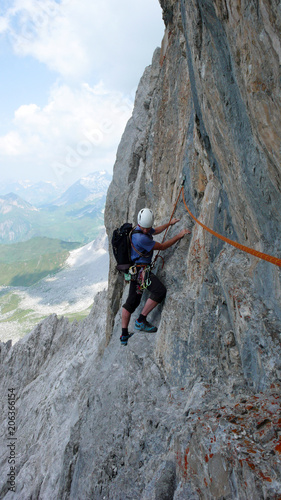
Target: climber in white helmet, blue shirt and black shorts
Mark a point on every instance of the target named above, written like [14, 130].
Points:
[141, 253]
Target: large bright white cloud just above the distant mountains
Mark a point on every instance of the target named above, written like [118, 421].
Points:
[77, 129]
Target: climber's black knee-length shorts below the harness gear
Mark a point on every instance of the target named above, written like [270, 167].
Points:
[157, 293]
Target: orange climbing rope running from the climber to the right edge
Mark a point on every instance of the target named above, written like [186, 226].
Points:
[251, 251]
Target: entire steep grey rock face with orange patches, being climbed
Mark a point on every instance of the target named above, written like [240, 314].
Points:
[193, 411]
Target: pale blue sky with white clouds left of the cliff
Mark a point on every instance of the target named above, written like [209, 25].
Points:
[69, 73]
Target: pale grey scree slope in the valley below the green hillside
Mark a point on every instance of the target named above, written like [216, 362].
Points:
[70, 291]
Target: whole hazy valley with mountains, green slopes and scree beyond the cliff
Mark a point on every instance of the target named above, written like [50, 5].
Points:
[53, 252]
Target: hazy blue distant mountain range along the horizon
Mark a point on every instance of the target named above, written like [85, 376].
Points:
[44, 210]
